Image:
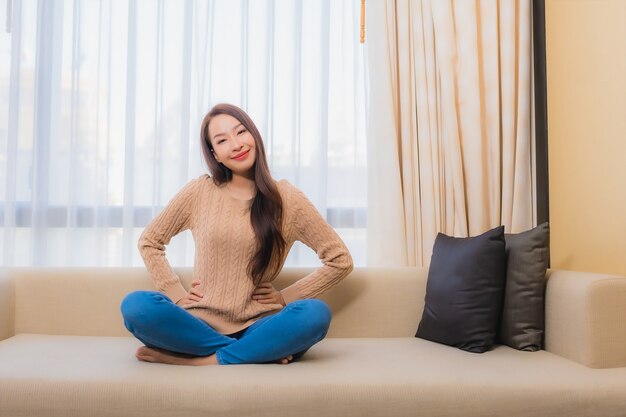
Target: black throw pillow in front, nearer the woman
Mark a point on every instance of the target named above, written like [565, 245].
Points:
[464, 291]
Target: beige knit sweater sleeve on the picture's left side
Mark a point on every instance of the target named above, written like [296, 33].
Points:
[173, 219]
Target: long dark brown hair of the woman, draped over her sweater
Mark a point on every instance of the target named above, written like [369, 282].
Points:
[266, 212]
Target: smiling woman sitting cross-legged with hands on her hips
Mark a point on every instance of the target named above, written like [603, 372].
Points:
[244, 224]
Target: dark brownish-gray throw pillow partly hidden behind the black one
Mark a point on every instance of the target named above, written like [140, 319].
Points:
[522, 321]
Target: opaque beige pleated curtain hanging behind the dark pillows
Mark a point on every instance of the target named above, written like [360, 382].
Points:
[449, 135]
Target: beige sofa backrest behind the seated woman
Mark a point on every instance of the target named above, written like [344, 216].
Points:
[370, 302]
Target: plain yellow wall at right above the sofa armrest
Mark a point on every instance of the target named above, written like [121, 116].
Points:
[586, 70]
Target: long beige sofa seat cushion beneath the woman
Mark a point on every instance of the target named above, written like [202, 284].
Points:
[47, 375]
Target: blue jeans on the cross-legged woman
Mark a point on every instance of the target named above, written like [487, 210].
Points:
[157, 322]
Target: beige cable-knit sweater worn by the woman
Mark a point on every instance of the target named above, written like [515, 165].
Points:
[225, 241]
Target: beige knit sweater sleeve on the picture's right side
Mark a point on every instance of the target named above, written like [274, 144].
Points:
[311, 229]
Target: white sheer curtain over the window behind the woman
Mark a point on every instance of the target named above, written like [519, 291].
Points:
[102, 103]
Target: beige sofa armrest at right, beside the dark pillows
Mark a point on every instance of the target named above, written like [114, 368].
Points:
[586, 318]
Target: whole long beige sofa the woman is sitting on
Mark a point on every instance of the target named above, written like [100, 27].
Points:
[65, 352]
